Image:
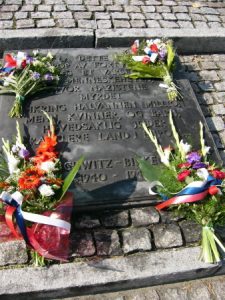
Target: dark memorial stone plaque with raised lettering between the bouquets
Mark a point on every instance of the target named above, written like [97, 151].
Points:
[98, 113]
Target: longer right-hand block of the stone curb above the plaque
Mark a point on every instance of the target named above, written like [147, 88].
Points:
[187, 41]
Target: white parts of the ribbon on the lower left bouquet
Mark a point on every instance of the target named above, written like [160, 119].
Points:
[51, 220]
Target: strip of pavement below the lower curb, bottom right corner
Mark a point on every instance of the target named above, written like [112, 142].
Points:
[213, 289]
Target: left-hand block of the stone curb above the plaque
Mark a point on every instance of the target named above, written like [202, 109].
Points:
[46, 38]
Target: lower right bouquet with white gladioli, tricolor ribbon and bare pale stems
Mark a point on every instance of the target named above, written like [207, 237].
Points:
[191, 186]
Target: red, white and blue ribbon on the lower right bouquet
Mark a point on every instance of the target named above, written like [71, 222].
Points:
[195, 191]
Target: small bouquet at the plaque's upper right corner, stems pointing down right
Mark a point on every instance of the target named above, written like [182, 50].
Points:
[151, 59]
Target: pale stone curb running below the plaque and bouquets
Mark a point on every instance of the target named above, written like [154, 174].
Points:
[111, 274]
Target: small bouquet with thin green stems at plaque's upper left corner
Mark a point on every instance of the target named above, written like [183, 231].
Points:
[24, 75]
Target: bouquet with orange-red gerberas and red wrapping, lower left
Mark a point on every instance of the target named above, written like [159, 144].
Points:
[33, 191]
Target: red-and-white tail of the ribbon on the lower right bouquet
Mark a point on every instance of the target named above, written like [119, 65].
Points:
[182, 199]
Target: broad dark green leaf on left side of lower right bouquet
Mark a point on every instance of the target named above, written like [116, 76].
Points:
[149, 172]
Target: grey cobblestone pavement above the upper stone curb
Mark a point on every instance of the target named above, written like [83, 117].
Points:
[99, 14]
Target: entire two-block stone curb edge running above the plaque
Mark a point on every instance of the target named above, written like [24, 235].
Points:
[187, 41]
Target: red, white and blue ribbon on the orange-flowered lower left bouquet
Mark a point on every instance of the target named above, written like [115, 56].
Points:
[14, 202]
